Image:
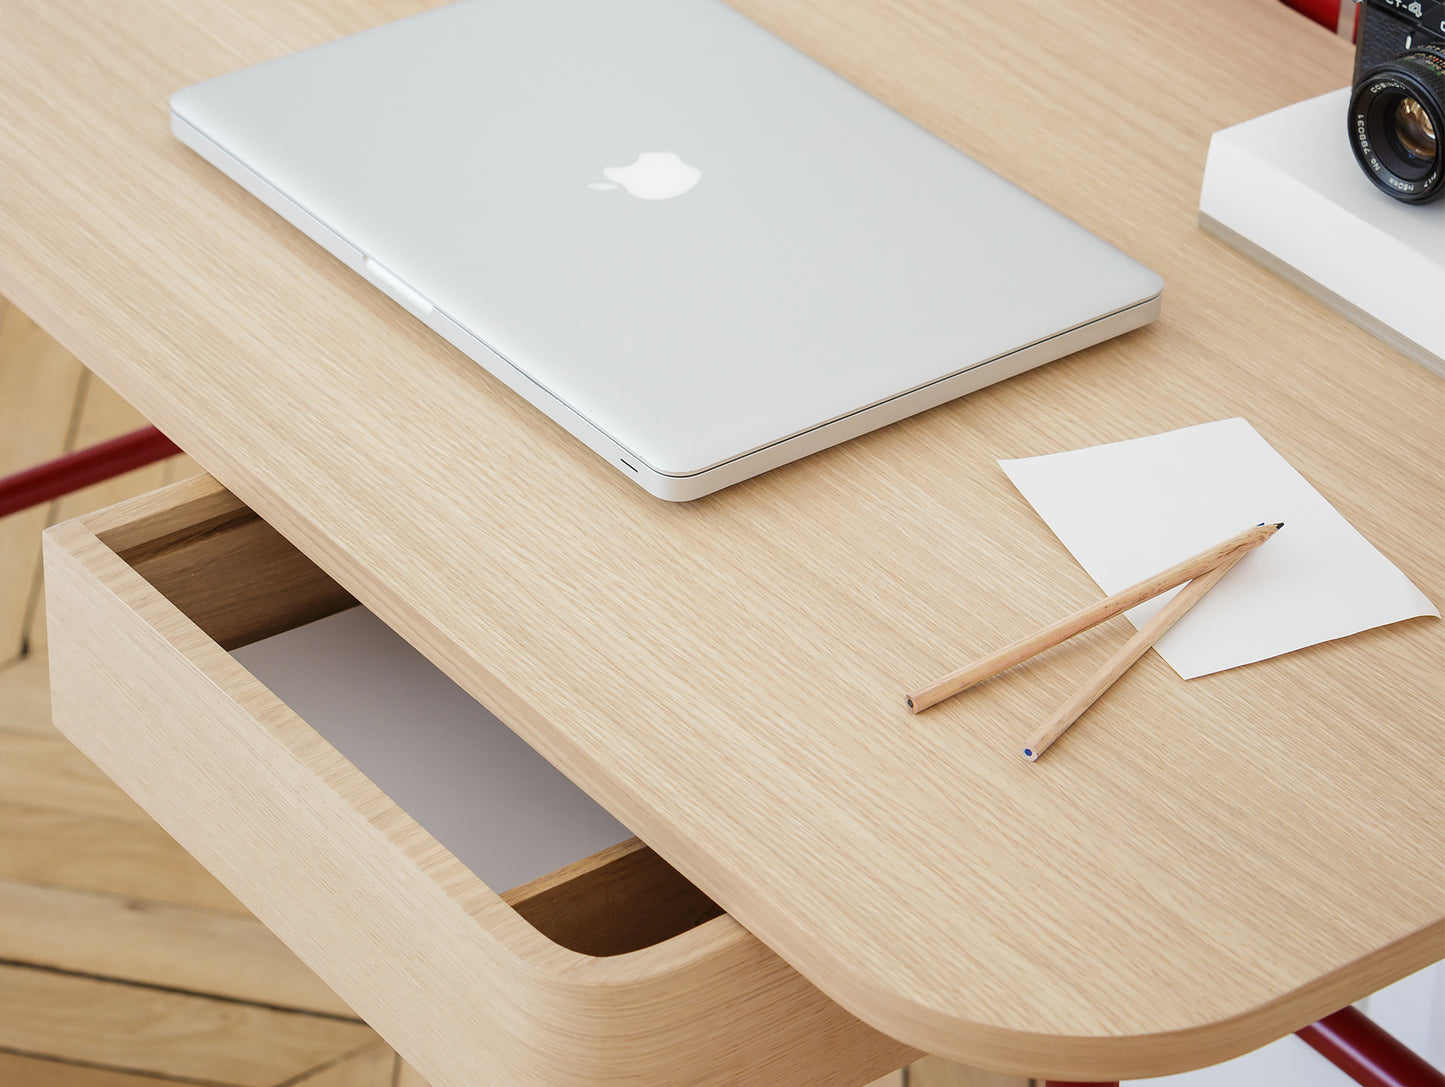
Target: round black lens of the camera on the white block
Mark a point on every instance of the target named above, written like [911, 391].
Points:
[1397, 116]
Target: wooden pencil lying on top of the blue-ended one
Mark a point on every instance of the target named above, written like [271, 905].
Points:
[1090, 616]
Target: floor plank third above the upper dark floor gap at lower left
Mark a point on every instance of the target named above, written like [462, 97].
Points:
[50, 773]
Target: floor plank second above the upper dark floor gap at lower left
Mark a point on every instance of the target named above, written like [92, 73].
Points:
[82, 852]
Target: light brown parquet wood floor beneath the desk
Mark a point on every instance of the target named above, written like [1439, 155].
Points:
[124, 963]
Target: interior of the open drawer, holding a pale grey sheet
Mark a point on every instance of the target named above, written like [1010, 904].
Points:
[504, 812]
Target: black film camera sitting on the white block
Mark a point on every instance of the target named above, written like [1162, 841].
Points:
[1398, 106]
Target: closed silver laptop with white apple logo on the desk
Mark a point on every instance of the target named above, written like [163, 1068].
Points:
[694, 248]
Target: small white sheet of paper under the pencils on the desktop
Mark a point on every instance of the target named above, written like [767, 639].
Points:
[1129, 510]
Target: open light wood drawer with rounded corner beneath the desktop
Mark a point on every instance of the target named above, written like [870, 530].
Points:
[612, 969]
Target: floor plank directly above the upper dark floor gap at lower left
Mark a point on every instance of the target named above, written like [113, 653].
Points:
[151, 943]
